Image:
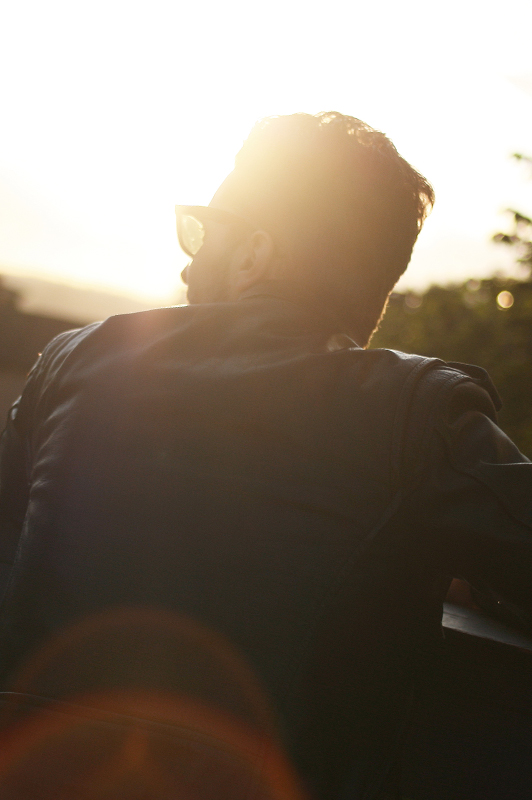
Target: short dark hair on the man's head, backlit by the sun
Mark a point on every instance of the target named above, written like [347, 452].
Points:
[342, 203]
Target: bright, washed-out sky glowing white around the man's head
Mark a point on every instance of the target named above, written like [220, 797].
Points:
[112, 112]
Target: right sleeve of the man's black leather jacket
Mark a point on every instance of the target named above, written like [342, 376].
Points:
[473, 503]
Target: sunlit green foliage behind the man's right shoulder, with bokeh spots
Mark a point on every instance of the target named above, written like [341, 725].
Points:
[466, 323]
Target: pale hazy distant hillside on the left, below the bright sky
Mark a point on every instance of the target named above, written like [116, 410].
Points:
[38, 296]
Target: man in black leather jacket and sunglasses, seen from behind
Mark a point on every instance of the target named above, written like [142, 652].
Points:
[245, 462]
